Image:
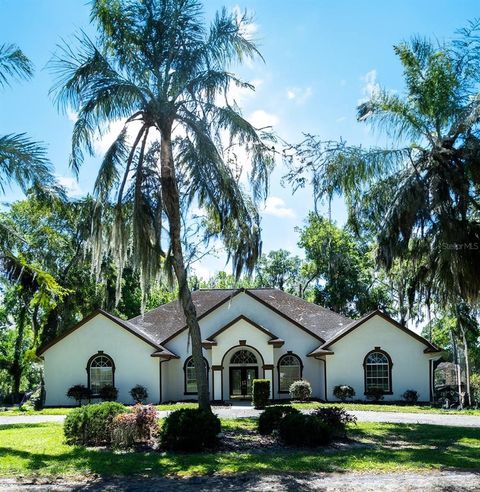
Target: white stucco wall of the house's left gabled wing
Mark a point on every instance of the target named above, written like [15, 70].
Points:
[65, 362]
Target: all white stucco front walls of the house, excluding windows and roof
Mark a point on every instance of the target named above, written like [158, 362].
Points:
[65, 362]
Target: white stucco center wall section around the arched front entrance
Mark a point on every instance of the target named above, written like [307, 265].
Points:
[296, 340]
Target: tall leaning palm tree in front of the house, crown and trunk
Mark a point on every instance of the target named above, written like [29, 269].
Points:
[156, 67]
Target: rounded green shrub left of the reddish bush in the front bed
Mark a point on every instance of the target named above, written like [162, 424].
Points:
[91, 424]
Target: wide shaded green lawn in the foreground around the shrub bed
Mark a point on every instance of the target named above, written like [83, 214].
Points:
[38, 449]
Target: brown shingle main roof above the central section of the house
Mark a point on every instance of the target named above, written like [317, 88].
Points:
[163, 323]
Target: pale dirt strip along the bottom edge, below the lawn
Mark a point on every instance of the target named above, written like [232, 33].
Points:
[249, 482]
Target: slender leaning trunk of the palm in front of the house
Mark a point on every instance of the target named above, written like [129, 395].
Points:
[171, 201]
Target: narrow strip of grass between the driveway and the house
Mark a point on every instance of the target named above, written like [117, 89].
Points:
[348, 406]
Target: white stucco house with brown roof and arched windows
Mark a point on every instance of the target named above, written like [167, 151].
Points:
[247, 334]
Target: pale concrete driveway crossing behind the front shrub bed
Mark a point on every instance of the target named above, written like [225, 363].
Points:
[246, 411]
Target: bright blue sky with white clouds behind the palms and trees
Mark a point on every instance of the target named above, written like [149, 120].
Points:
[321, 58]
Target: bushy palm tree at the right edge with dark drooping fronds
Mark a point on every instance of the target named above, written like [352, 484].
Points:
[421, 192]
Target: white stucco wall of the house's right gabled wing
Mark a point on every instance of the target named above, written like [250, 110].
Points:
[410, 368]
